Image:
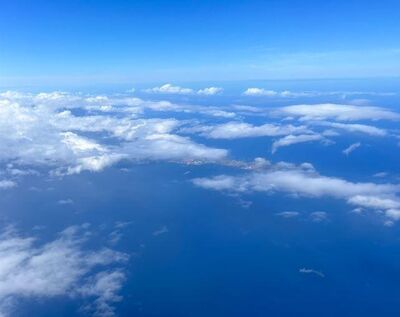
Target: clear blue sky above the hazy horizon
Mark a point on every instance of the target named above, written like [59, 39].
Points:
[115, 41]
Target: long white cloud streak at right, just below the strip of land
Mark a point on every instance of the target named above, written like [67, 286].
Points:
[304, 181]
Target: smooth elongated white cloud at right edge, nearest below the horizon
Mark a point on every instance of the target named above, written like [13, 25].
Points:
[337, 112]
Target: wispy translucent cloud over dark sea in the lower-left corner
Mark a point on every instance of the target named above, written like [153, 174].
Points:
[62, 267]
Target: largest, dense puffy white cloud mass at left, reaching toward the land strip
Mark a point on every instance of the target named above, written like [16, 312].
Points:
[44, 130]
